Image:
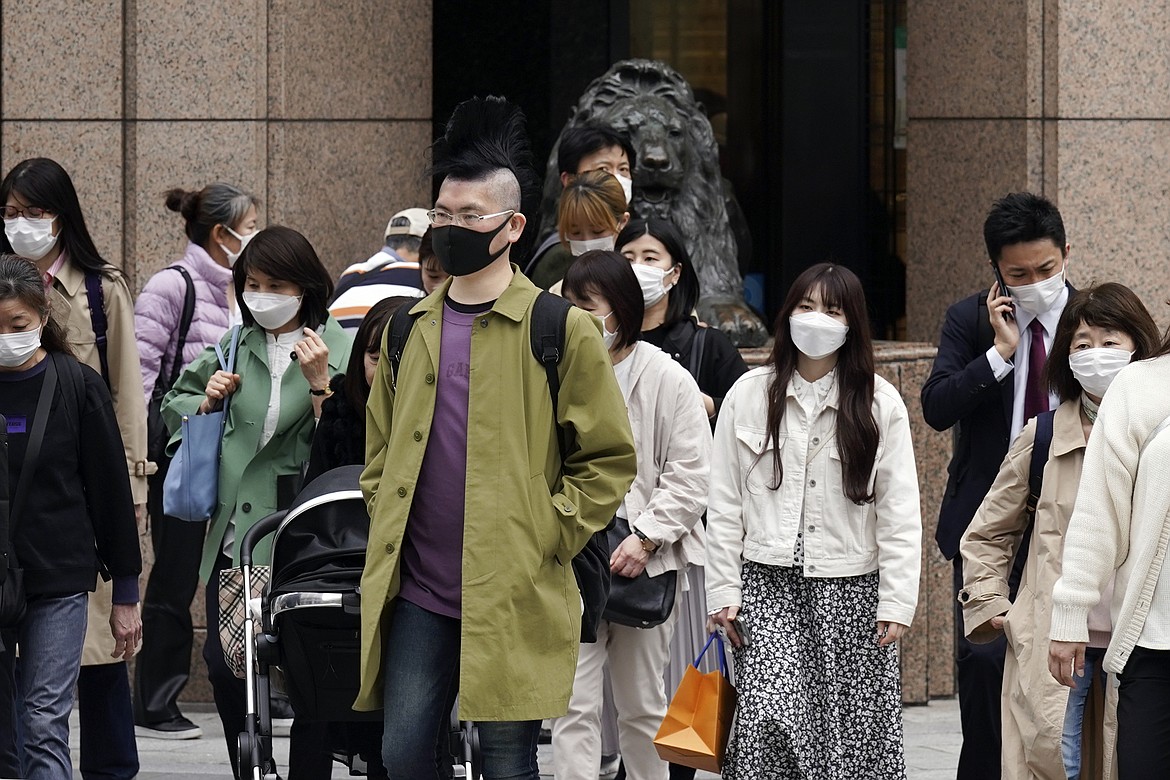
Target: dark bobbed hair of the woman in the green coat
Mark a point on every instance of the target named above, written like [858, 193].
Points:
[285, 254]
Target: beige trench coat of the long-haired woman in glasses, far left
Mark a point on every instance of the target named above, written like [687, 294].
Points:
[71, 308]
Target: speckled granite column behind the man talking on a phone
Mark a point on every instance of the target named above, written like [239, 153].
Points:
[1065, 99]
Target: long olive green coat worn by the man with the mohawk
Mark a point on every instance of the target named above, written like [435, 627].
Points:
[522, 522]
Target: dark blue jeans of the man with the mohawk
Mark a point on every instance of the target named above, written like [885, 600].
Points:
[422, 680]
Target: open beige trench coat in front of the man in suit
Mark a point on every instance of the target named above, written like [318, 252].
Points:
[1034, 702]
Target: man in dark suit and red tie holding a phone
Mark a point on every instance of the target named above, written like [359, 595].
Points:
[986, 384]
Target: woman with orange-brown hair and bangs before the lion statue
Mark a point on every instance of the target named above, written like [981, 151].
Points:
[590, 216]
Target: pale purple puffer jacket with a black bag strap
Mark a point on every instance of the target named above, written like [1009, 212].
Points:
[159, 313]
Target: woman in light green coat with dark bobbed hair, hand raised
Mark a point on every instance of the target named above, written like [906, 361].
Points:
[288, 349]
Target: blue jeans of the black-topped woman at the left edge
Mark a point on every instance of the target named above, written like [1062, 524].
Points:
[51, 640]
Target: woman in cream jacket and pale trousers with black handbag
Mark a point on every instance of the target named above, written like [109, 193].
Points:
[664, 508]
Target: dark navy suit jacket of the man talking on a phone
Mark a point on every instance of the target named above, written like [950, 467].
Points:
[962, 395]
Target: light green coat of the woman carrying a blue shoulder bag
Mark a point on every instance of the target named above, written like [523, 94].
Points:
[247, 487]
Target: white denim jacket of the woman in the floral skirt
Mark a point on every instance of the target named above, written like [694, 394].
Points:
[749, 521]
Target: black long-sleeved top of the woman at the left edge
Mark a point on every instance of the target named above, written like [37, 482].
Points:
[80, 517]
